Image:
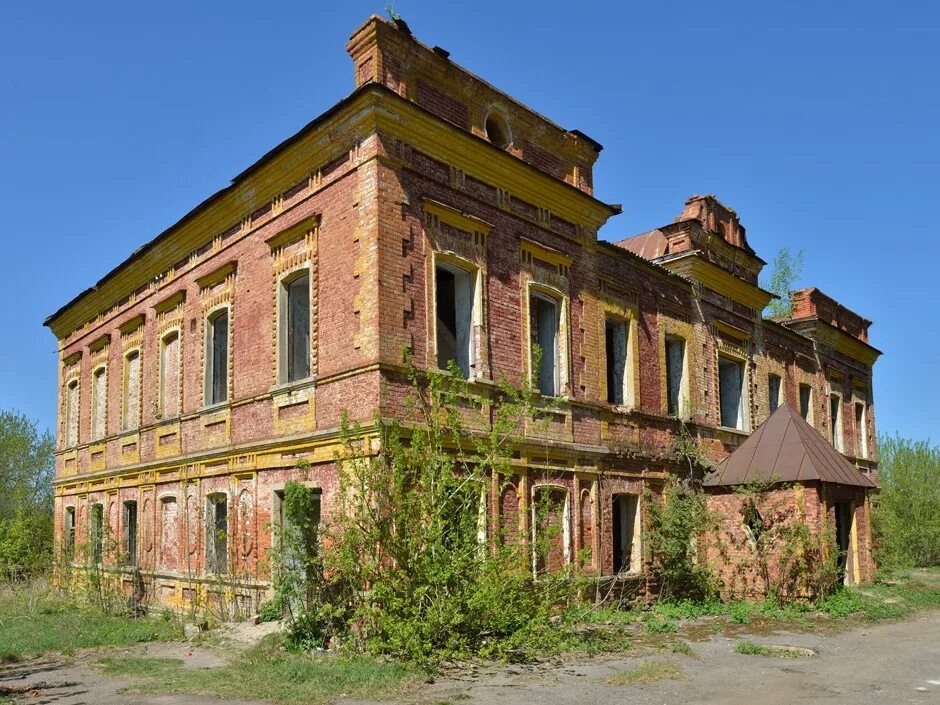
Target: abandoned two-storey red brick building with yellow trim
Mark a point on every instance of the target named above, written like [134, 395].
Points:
[430, 210]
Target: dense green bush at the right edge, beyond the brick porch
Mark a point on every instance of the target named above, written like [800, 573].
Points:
[907, 509]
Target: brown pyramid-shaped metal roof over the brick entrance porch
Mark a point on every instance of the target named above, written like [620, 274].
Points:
[785, 448]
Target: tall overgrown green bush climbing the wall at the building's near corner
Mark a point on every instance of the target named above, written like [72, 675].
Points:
[412, 567]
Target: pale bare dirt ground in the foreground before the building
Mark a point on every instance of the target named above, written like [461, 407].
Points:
[896, 662]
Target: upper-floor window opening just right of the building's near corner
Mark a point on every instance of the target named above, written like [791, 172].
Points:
[453, 306]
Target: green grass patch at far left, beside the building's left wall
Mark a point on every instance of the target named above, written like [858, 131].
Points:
[35, 621]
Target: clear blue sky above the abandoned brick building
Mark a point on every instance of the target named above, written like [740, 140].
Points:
[818, 122]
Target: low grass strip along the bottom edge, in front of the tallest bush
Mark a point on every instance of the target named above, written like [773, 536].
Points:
[264, 673]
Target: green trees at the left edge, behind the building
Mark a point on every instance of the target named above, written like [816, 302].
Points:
[26, 472]
